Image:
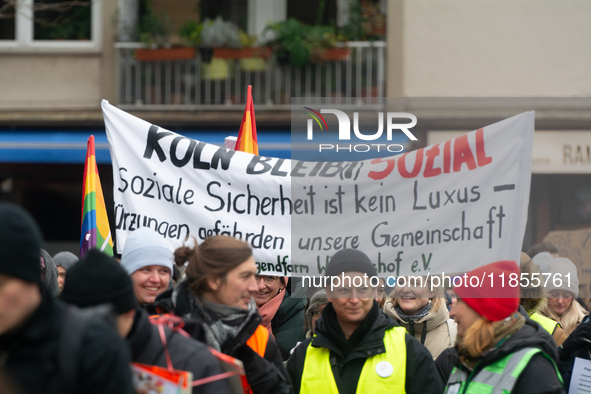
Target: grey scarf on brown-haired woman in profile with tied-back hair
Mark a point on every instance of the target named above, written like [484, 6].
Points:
[221, 323]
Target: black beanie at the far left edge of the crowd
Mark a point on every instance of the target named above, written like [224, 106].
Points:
[20, 244]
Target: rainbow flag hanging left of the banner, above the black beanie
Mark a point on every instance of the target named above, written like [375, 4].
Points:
[95, 231]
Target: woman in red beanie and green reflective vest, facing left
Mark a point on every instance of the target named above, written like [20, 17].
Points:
[498, 349]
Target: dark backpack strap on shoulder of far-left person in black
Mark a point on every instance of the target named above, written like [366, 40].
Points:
[76, 321]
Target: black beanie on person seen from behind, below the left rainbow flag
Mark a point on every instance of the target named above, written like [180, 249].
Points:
[99, 279]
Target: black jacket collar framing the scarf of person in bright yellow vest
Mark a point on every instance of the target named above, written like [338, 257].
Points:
[371, 344]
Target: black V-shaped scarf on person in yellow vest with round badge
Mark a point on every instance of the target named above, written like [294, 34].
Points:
[335, 332]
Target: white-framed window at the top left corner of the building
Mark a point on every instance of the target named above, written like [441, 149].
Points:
[50, 25]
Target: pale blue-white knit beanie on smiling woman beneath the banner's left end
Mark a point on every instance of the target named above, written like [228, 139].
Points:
[145, 247]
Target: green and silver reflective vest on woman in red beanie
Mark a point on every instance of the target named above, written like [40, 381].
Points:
[496, 378]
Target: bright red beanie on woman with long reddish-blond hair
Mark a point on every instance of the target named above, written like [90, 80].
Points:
[491, 300]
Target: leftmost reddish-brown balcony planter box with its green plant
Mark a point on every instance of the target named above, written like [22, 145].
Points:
[154, 31]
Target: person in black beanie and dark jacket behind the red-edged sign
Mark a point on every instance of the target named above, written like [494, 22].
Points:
[98, 279]
